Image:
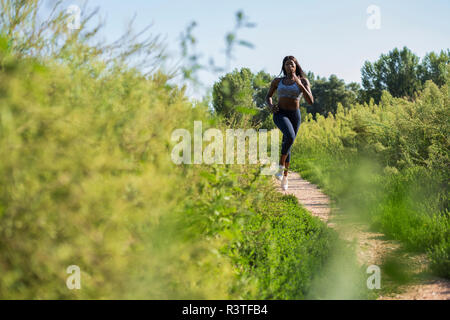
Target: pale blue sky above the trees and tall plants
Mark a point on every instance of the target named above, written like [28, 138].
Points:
[326, 36]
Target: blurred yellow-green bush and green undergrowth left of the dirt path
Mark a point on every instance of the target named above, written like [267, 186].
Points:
[86, 179]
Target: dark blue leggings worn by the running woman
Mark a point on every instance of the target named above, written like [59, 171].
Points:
[288, 121]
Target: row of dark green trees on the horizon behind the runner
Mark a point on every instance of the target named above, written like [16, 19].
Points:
[239, 95]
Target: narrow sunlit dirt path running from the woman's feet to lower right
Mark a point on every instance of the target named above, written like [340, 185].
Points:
[373, 248]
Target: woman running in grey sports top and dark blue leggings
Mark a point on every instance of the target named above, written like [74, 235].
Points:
[286, 114]
